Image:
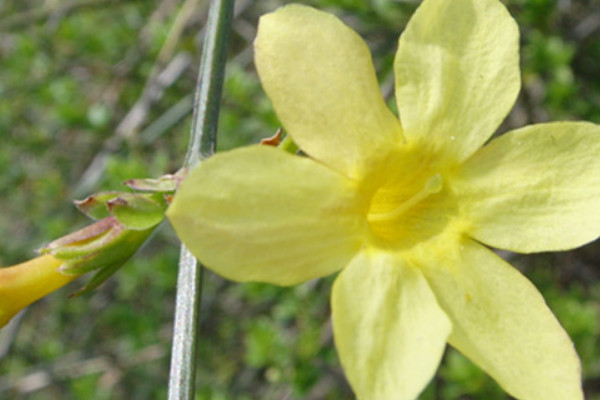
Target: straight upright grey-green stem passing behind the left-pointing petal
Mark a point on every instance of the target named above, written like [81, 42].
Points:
[202, 145]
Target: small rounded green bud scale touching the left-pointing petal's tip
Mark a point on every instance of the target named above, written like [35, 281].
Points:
[138, 211]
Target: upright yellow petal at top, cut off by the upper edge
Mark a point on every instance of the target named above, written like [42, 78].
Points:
[457, 73]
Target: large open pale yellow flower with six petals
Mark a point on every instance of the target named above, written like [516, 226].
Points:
[405, 207]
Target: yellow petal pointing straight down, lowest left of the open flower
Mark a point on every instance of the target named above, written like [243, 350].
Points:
[389, 329]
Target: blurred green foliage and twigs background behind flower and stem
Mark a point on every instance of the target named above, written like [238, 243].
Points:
[93, 92]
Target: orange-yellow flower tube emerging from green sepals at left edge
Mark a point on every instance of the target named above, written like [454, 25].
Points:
[22, 284]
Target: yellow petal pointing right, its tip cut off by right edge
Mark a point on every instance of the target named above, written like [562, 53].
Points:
[534, 189]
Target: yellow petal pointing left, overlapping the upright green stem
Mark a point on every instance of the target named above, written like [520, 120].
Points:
[260, 214]
